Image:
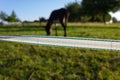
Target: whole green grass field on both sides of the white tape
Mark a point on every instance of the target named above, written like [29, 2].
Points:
[32, 62]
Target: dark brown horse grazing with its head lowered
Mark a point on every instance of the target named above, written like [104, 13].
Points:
[60, 15]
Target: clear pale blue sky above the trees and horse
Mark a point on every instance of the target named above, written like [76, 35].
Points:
[31, 10]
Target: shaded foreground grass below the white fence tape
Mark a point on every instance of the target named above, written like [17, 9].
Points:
[28, 62]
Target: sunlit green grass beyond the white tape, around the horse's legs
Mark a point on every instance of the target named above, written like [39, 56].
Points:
[73, 30]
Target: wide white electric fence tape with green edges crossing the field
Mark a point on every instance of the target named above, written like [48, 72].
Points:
[67, 42]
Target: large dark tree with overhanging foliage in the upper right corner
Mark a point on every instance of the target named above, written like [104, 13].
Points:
[95, 7]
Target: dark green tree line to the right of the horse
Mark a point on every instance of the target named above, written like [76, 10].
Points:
[92, 10]
